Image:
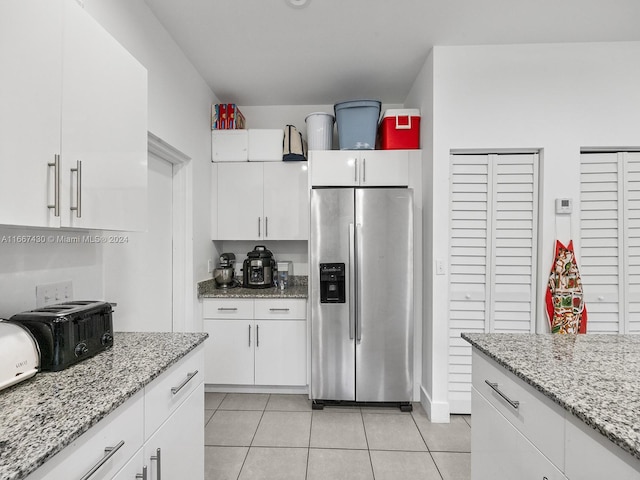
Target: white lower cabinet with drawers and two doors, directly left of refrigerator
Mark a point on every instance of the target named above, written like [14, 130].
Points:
[256, 342]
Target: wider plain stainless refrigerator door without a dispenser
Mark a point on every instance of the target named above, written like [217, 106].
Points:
[384, 291]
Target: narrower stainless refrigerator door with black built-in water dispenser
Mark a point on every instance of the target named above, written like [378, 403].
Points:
[331, 241]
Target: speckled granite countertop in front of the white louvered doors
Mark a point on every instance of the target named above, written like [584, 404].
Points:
[595, 377]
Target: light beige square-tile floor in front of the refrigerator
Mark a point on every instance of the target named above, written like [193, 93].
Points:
[279, 437]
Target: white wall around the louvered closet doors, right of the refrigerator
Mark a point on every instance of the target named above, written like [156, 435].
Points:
[555, 97]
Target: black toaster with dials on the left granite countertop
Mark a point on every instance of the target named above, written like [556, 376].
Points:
[69, 332]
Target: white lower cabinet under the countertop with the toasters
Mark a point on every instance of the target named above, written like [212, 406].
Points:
[166, 415]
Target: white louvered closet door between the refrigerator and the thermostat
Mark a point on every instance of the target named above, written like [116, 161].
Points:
[492, 267]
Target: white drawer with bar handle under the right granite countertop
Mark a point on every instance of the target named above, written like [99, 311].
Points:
[537, 417]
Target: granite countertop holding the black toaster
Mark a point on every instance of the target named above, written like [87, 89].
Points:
[42, 415]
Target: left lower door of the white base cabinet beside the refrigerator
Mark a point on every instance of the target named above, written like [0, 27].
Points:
[229, 352]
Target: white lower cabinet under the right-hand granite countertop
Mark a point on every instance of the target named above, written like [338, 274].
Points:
[518, 433]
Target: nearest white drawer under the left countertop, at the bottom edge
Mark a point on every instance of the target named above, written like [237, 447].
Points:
[123, 426]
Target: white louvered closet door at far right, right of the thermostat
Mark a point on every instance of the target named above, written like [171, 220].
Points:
[610, 240]
